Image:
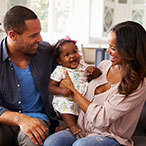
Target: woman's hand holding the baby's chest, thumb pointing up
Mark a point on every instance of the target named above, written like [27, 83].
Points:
[67, 82]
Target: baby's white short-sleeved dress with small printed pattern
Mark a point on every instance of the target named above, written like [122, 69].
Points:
[64, 104]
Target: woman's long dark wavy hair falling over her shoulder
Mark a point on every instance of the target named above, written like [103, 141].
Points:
[131, 46]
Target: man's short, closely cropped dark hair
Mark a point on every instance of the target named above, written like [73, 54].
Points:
[15, 19]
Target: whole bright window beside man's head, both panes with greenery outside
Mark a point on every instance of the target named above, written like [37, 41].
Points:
[54, 16]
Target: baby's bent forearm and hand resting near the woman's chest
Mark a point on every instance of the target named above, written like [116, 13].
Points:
[92, 72]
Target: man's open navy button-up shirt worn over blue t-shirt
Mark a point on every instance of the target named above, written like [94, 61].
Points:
[41, 65]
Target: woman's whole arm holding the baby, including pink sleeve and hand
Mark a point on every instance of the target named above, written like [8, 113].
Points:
[112, 109]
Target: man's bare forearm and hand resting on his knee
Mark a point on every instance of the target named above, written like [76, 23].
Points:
[32, 127]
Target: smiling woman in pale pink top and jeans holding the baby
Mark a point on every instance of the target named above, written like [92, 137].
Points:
[113, 101]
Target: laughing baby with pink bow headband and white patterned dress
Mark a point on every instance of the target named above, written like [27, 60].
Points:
[68, 58]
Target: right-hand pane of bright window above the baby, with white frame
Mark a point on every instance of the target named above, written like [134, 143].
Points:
[60, 16]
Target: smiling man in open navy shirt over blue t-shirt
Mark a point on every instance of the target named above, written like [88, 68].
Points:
[26, 116]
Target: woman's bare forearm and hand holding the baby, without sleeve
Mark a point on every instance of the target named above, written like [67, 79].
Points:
[82, 102]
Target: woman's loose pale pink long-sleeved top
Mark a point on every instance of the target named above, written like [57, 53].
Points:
[110, 113]
